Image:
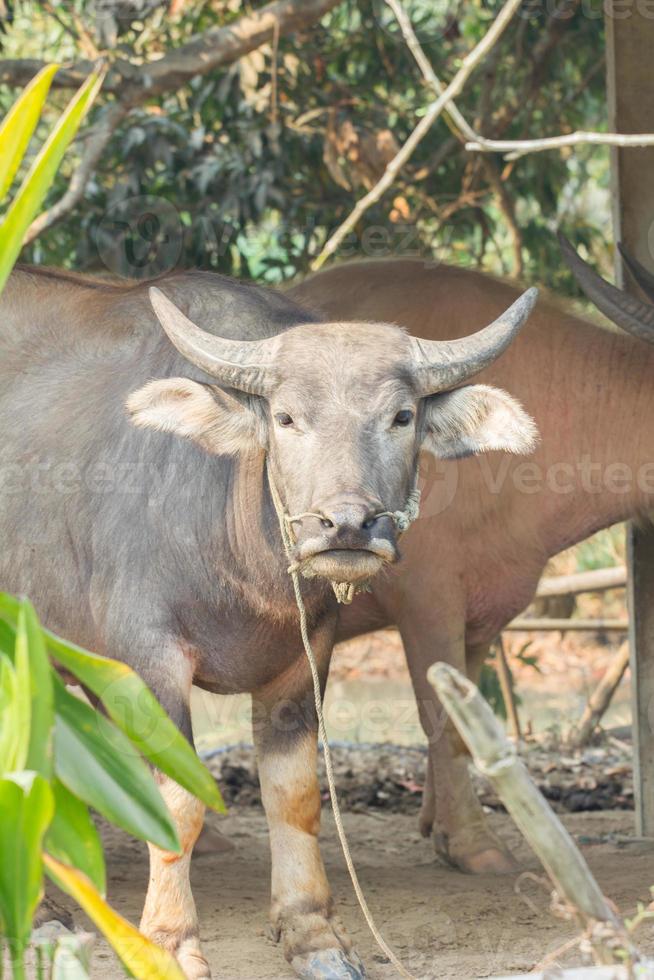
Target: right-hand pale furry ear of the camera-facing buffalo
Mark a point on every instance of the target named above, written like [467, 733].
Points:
[476, 419]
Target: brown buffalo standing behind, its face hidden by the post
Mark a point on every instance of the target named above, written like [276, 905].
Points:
[487, 526]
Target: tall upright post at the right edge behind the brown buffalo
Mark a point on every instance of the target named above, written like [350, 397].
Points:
[630, 83]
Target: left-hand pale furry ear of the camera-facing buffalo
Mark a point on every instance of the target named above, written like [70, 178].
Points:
[223, 424]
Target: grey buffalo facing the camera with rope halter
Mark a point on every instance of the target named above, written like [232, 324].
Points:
[166, 552]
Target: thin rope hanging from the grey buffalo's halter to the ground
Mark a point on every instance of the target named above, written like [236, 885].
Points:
[284, 527]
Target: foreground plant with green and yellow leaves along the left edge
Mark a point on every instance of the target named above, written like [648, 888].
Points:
[58, 755]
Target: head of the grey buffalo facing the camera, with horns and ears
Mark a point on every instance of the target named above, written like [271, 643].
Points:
[343, 411]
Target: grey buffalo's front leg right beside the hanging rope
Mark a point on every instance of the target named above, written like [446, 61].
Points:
[302, 911]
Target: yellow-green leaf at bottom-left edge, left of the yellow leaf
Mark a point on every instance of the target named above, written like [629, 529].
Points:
[26, 806]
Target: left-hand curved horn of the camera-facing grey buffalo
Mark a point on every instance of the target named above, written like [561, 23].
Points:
[246, 365]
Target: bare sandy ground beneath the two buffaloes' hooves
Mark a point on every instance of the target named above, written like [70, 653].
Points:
[441, 923]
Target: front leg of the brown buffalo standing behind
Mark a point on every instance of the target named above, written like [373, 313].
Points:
[451, 812]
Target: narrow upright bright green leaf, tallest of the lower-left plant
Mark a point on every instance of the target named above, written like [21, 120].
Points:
[31, 645]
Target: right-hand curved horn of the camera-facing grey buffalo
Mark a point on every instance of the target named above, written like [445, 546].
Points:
[442, 364]
